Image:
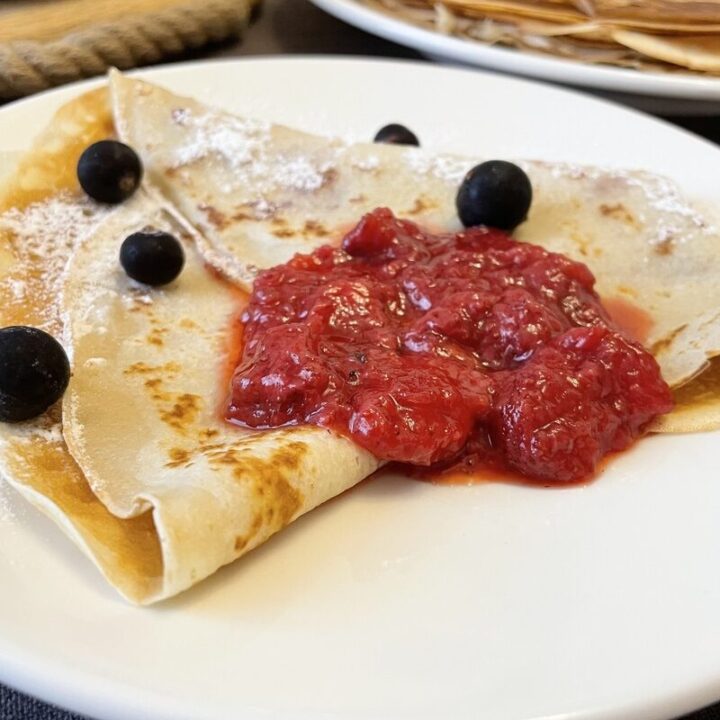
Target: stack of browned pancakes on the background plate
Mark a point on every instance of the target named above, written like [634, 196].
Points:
[659, 34]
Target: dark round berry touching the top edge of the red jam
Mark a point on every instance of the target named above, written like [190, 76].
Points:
[495, 193]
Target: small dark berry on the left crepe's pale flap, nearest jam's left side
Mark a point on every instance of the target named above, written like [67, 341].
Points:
[152, 257]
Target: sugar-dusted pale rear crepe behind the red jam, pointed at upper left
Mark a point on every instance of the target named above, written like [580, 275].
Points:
[641, 239]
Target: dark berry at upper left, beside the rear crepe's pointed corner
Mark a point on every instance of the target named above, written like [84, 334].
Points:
[109, 171]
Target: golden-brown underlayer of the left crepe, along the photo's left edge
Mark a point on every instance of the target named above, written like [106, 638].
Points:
[33, 455]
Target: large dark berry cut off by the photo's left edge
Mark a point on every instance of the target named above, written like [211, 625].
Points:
[34, 372]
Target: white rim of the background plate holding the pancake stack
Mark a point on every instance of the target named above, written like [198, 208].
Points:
[681, 93]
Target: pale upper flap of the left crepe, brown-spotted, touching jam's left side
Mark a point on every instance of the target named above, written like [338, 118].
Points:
[142, 416]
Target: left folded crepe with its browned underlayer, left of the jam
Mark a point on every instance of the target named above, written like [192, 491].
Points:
[138, 466]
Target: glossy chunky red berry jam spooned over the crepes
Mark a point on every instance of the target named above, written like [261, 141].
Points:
[445, 351]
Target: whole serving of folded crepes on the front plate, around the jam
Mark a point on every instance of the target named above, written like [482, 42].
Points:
[137, 465]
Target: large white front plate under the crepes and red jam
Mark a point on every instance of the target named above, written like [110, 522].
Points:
[402, 599]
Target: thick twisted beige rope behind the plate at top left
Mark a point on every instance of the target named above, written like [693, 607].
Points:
[28, 67]
